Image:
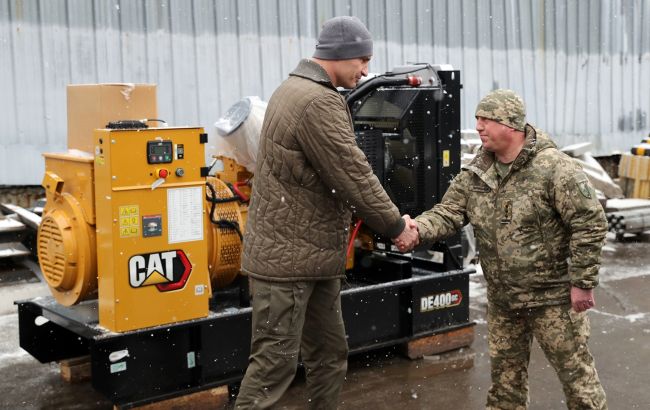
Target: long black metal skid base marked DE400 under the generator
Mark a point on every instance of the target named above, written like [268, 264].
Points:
[391, 301]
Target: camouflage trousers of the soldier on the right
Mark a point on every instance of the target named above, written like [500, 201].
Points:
[562, 334]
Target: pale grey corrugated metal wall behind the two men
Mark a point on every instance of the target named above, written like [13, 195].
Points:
[583, 67]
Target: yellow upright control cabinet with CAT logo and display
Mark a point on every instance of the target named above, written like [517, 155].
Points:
[151, 224]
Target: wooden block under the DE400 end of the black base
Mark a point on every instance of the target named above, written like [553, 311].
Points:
[439, 343]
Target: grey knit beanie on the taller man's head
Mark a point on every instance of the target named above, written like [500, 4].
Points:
[343, 38]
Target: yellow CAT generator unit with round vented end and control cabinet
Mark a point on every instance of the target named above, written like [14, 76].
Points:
[139, 225]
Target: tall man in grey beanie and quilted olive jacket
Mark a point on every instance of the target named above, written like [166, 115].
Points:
[310, 177]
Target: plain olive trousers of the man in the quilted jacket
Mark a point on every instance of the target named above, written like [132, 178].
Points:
[290, 319]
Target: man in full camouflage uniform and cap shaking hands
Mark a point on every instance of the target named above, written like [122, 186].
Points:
[539, 230]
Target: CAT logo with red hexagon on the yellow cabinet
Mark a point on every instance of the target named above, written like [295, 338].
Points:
[166, 270]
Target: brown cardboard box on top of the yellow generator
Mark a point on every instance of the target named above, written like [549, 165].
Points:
[92, 106]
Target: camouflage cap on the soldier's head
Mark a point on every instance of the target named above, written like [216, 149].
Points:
[505, 107]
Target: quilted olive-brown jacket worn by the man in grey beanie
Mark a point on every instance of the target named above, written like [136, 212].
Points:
[309, 179]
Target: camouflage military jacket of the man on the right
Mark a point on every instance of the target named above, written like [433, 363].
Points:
[538, 231]
